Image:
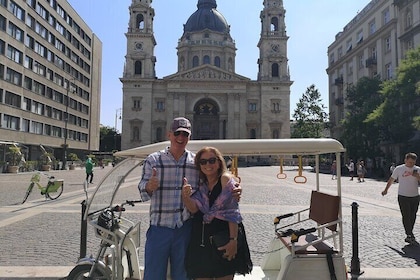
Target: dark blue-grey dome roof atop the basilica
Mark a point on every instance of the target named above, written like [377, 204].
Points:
[206, 17]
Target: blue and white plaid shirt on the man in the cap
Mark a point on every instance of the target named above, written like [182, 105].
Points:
[166, 206]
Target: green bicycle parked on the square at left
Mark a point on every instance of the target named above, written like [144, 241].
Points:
[52, 190]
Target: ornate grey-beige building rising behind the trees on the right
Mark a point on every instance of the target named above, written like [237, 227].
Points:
[371, 45]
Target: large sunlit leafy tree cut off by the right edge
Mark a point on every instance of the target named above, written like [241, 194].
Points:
[399, 113]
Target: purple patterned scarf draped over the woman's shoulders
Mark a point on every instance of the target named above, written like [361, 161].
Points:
[225, 207]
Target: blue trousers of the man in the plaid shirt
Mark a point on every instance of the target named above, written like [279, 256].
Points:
[165, 244]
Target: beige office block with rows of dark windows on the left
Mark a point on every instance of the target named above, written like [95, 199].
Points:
[50, 78]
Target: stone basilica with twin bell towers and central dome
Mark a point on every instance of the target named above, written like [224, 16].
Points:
[205, 89]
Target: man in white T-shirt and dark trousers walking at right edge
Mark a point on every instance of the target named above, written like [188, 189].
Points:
[408, 193]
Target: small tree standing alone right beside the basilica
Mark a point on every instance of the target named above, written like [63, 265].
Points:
[310, 116]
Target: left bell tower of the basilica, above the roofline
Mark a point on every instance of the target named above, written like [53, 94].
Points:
[140, 60]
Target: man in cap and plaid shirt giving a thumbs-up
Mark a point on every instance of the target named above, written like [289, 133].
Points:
[170, 226]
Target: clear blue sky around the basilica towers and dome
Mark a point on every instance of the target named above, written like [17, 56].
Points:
[310, 24]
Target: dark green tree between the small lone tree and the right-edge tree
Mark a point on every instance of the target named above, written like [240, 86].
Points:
[360, 137]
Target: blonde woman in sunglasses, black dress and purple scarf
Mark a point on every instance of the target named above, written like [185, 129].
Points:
[215, 210]
